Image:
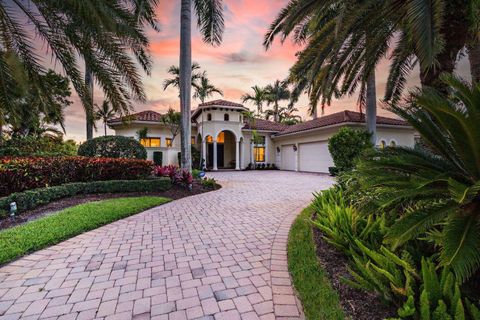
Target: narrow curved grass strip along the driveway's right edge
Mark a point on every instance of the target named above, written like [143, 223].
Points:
[319, 299]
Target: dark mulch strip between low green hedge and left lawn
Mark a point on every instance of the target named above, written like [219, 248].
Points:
[176, 192]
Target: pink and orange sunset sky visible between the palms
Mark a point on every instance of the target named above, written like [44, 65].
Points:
[238, 64]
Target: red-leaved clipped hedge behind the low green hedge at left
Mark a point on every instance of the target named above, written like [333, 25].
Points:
[19, 174]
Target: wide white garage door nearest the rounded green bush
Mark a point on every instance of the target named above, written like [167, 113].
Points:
[314, 157]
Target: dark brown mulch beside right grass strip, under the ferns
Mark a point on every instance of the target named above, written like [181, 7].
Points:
[358, 304]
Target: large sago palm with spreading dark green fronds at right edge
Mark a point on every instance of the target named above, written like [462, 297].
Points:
[437, 189]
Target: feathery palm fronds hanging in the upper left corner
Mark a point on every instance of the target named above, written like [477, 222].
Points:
[106, 35]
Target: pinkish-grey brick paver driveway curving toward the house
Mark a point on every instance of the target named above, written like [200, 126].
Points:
[218, 255]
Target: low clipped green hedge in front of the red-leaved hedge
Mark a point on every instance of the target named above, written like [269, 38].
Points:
[32, 199]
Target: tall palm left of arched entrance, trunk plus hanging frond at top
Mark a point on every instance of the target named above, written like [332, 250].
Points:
[211, 24]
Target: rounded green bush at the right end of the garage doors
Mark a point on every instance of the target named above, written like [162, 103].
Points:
[346, 145]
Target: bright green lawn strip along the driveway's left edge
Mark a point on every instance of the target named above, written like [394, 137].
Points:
[35, 235]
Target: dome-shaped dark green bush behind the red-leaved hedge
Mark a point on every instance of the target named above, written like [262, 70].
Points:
[113, 147]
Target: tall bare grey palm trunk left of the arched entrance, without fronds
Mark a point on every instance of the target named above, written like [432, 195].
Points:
[186, 81]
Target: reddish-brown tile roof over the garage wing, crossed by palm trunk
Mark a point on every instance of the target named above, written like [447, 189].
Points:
[337, 118]
